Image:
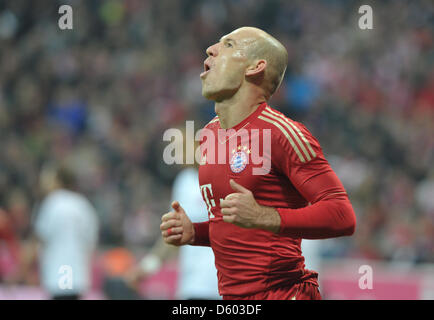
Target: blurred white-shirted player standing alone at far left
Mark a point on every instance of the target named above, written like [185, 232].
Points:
[66, 229]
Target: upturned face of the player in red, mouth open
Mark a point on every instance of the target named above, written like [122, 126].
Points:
[225, 67]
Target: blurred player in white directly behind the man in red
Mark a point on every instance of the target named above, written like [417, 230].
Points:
[197, 277]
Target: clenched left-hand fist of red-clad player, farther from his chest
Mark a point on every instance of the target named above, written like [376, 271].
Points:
[176, 227]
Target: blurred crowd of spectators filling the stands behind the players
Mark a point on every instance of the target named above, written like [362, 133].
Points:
[100, 96]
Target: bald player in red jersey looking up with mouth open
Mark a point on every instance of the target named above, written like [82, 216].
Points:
[256, 221]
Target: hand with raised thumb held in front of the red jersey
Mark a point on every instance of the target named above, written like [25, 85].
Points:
[241, 209]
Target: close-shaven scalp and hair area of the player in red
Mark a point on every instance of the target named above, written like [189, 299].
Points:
[261, 45]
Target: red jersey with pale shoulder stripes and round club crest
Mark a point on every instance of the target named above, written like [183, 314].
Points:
[254, 260]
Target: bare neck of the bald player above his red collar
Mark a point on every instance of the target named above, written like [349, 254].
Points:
[235, 109]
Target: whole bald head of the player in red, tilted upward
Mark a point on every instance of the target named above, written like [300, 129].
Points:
[247, 58]
